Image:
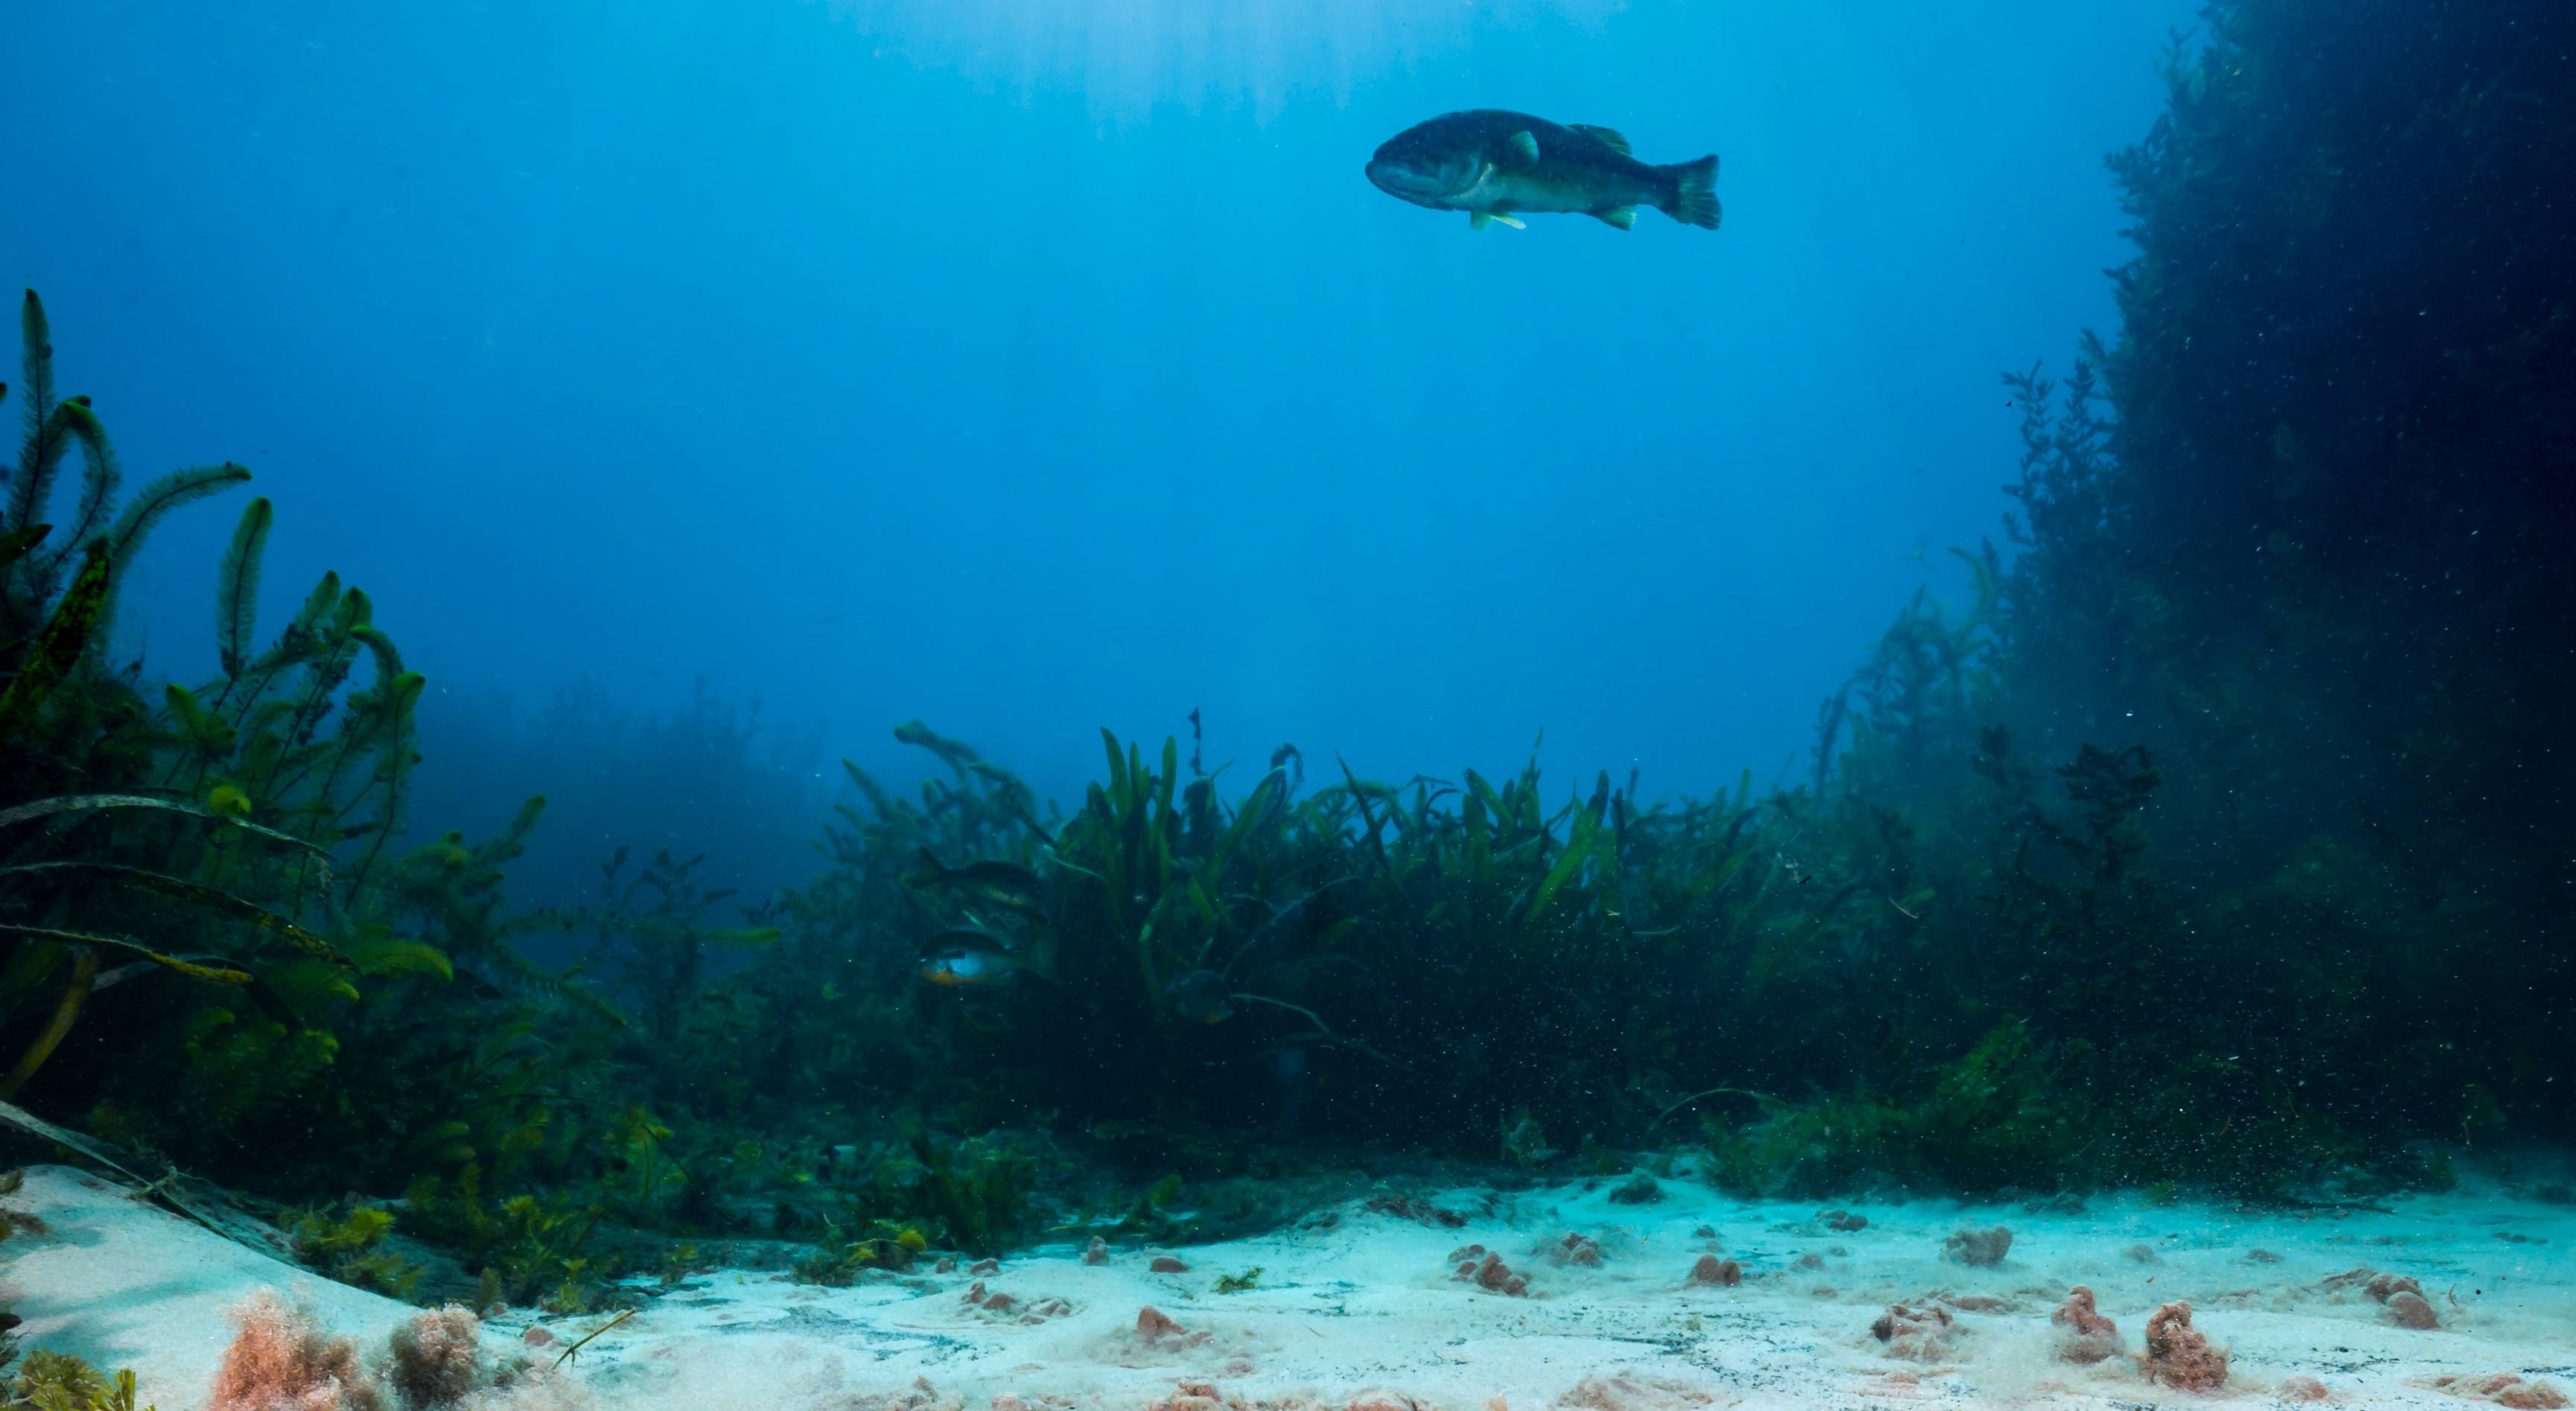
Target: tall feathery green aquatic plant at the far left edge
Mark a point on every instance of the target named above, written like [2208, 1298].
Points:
[205, 892]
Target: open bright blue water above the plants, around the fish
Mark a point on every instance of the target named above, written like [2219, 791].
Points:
[1045, 364]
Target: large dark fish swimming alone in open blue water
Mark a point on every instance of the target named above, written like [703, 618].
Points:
[1493, 164]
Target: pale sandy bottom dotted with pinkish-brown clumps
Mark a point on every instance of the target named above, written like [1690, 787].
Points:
[1361, 1309]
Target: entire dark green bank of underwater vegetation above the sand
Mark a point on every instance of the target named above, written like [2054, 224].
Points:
[2201, 843]
